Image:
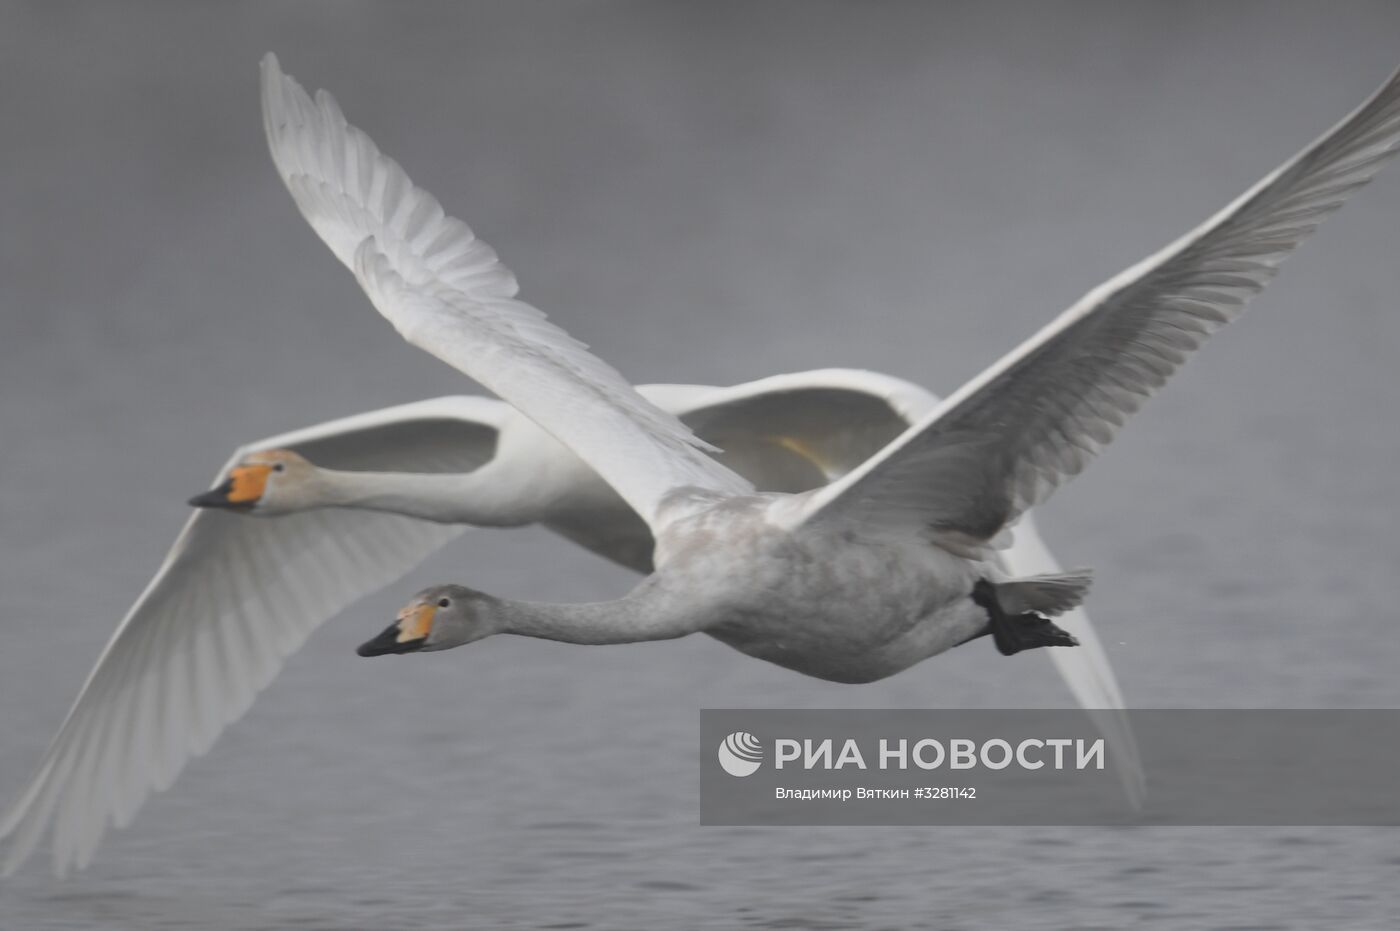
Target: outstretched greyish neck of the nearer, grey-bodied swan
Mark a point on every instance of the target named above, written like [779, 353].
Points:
[652, 611]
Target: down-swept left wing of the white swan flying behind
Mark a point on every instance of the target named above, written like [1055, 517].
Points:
[234, 597]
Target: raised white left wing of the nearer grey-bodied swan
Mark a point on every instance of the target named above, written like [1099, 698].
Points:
[447, 293]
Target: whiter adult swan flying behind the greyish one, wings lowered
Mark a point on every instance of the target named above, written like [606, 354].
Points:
[362, 500]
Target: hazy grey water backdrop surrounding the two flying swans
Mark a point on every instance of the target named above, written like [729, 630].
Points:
[710, 194]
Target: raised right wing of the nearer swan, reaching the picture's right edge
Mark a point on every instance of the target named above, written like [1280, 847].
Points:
[1011, 436]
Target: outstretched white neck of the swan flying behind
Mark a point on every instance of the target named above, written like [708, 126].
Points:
[484, 498]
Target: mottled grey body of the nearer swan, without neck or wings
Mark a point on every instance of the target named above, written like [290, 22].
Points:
[818, 603]
